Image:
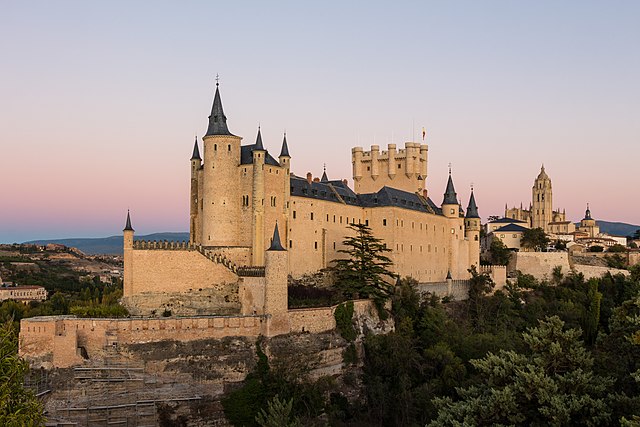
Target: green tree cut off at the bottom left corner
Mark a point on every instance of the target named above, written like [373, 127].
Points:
[18, 405]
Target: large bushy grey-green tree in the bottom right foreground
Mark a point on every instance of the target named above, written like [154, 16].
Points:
[552, 384]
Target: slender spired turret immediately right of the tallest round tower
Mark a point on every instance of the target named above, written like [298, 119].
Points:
[257, 204]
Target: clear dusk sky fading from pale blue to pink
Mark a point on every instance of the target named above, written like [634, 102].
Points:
[100, 101]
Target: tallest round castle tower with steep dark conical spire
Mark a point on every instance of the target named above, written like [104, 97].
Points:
[221, 186]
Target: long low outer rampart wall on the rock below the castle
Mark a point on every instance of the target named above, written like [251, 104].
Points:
[64, 341]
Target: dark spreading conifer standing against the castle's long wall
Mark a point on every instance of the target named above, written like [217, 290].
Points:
[366, 273]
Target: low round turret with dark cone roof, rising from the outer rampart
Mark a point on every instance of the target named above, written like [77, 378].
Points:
[276, 297]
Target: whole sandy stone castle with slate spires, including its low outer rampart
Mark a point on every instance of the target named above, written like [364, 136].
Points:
[253, 226]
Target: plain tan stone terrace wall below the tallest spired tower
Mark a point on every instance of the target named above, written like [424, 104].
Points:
[157, 270]
